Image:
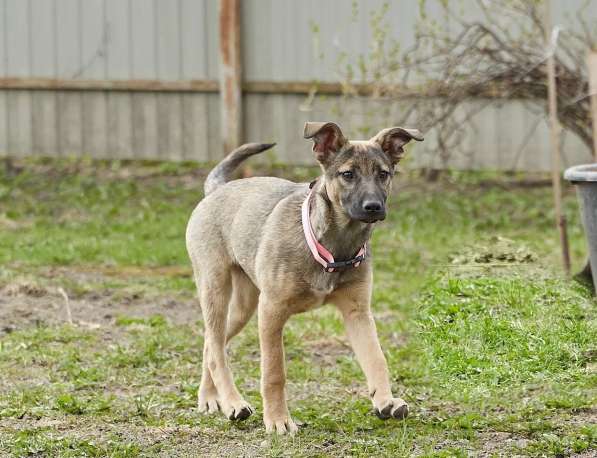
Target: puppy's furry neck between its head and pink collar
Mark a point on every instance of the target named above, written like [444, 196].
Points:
[342, 236]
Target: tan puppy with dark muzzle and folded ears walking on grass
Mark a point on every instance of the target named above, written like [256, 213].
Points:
[248, 250]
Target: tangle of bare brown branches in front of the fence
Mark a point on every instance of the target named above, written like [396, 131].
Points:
[501, 53]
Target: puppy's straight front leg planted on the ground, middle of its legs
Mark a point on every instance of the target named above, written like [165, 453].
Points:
[271, 319]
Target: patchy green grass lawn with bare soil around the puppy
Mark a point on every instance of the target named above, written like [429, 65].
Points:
[492, 347]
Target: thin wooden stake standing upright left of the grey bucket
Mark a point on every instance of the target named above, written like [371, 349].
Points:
[554, 132]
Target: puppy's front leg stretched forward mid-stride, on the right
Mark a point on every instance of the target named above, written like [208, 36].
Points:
[361, 331]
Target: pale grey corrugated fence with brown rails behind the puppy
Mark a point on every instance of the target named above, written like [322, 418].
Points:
[142, 78]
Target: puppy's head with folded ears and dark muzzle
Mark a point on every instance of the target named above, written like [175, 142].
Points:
[358, 174]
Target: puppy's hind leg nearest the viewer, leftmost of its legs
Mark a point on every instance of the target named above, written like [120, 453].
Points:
[215, 293]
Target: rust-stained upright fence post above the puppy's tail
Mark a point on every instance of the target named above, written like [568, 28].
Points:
[230, 75]
